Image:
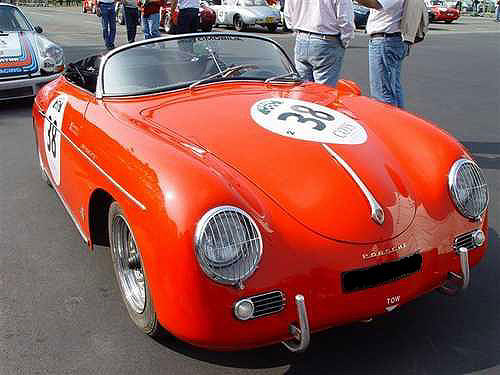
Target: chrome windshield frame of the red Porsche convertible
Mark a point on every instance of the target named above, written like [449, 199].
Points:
[100, 94]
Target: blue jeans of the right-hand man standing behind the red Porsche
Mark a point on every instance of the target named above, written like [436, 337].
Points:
[385, 57]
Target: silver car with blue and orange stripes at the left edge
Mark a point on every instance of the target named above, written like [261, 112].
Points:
[28, 60]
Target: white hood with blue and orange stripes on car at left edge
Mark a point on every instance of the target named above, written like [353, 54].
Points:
[18, 55]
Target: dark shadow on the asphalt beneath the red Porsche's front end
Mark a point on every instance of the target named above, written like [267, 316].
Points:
[435, 334]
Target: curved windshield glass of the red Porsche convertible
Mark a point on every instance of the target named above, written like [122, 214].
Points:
[179, 62]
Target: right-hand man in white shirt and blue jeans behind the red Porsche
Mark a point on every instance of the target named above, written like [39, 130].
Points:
[386, 50]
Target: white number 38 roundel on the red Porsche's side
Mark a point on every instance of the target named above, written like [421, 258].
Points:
[52, 135]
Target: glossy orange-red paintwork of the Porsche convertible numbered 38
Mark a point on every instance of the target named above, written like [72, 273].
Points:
[288, 187]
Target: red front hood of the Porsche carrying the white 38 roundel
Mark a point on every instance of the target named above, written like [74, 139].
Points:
[300, 175]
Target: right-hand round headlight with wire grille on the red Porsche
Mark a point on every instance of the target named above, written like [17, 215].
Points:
[468, 188]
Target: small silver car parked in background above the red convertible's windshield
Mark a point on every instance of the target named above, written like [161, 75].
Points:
[244, 13]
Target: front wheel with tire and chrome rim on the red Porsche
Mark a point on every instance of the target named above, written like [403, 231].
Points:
[129, 272]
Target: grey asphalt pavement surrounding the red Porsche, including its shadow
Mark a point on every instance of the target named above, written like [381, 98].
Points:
[61, 310]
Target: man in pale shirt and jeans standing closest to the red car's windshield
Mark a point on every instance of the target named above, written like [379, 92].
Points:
[323, 29]
